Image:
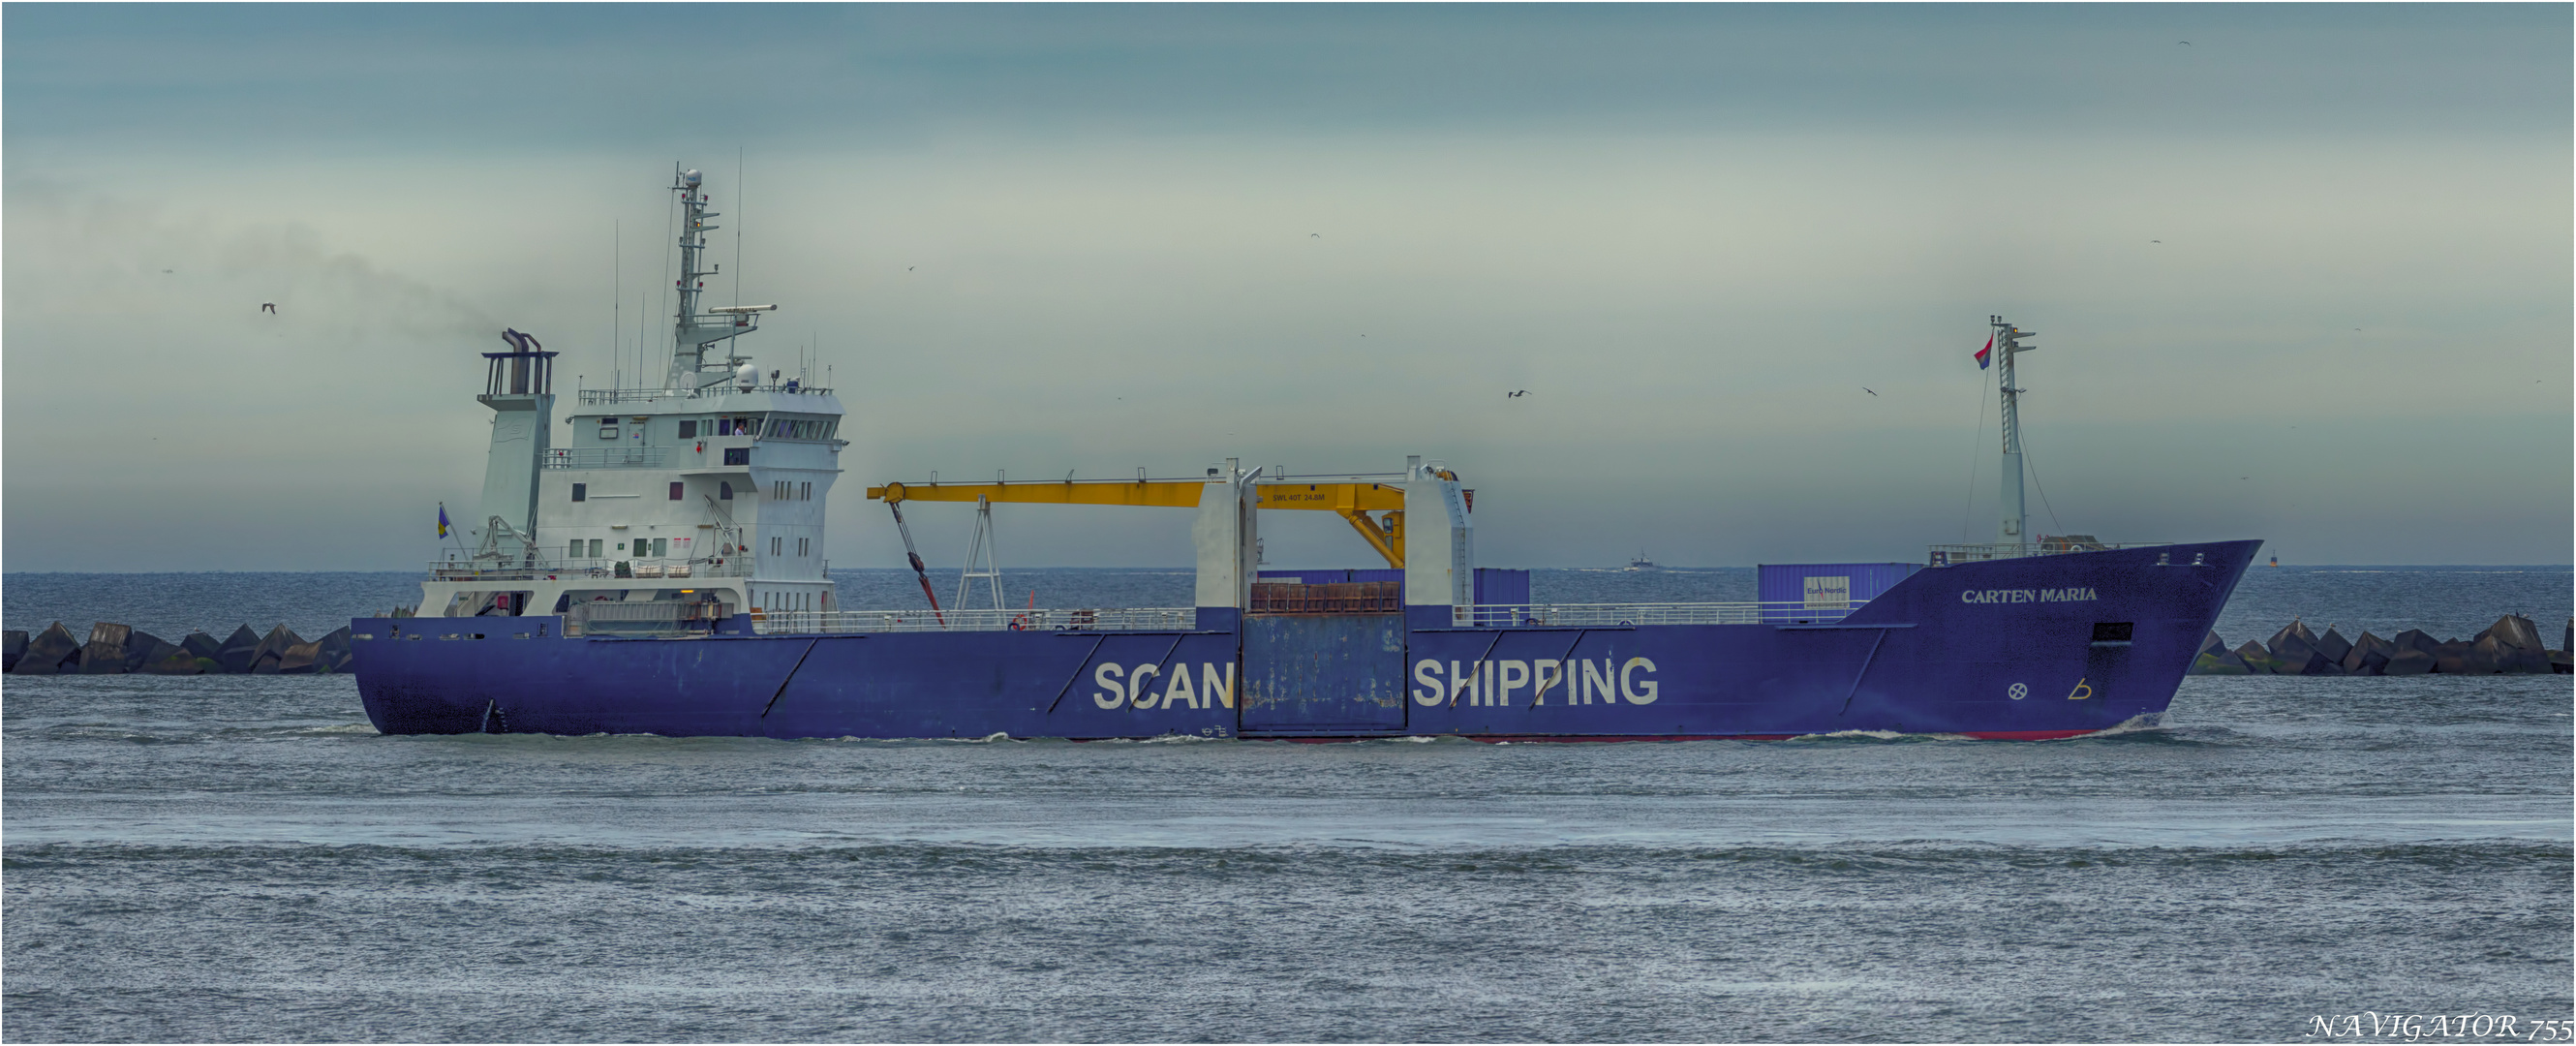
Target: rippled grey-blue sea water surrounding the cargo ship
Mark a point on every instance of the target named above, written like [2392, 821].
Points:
[243, 859]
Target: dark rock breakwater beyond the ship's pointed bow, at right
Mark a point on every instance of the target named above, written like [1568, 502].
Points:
[2508, 648]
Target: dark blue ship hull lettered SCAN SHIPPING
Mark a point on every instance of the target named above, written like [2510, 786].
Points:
[2011, 651]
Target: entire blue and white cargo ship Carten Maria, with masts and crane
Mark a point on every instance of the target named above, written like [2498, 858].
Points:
[666, 576]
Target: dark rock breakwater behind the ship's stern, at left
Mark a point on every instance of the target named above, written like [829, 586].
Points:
[125, 651]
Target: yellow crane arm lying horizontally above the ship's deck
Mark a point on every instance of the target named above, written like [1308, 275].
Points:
[1354, 501]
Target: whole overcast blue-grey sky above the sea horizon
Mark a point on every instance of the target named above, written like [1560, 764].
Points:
[2299, 274]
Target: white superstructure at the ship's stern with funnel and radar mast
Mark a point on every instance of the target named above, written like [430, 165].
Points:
[681, 504]
